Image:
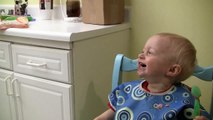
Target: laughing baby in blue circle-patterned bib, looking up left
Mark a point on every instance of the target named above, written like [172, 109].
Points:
[165, 61]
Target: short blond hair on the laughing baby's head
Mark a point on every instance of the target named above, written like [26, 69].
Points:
[184, 54]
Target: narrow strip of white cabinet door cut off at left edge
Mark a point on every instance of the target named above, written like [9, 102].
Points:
[7, 108]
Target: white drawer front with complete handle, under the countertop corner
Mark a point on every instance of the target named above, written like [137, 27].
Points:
[42, 62]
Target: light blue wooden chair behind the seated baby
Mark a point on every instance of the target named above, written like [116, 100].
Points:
[124, 64]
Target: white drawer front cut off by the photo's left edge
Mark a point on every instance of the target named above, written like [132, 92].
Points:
[5, 55]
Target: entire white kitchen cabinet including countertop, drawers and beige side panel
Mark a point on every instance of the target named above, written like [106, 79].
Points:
[62, 72]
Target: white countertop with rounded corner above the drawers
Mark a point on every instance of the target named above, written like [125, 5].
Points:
[59, 30]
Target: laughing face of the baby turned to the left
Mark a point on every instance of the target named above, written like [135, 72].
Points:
[154, 61]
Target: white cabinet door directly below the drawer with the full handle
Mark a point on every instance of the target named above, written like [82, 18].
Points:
[41, 99]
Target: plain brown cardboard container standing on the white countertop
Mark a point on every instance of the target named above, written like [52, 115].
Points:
[104, 12]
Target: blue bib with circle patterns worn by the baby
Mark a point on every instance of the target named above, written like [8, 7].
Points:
[131, 101]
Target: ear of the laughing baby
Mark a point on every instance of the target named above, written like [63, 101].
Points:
[174, 70]
